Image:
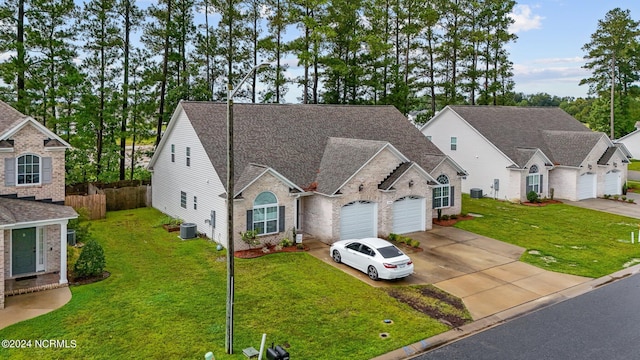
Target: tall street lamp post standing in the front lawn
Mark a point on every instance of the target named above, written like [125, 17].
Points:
[230, 195]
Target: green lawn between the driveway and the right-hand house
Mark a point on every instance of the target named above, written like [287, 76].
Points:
[559, 237]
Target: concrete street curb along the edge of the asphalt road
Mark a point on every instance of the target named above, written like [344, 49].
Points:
[415, 349]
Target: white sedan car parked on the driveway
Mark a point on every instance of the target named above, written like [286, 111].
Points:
[375, 257]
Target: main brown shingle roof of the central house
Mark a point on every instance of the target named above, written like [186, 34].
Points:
[292, 139]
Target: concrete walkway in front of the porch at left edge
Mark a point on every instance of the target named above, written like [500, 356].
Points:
[23, 307]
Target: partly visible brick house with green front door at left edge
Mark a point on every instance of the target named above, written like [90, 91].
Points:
[33, 218]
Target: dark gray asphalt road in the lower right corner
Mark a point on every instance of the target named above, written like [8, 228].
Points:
[602, 324]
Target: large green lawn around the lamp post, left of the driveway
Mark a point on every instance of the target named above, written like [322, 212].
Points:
[166, 299]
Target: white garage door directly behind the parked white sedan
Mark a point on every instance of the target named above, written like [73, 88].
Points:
[358, 220]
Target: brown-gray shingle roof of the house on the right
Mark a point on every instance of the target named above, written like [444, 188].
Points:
[565, 140]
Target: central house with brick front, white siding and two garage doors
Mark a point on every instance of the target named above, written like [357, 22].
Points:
[328, 171]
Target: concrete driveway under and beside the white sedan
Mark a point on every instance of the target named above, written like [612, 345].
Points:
[483, 272]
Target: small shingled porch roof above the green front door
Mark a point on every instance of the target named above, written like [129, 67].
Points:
[16, 211]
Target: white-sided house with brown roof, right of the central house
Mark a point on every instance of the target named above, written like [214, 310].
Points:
[510, 151]
